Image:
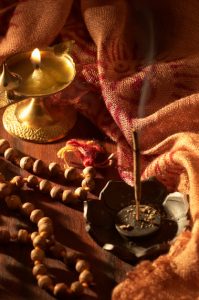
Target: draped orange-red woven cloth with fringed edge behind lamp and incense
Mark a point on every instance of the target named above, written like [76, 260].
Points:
[137, 68]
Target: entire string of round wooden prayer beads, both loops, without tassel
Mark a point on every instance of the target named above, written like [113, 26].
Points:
[43, 239]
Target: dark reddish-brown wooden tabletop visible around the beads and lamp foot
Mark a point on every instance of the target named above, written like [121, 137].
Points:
[16, 279]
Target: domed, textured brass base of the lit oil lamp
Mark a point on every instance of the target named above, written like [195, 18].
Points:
[44, 129]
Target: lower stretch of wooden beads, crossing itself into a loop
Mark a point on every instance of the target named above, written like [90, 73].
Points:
[43, 240]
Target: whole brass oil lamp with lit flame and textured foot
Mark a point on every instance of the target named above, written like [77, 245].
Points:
[27, 79]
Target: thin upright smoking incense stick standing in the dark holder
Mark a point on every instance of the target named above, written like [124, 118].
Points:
[136, 173]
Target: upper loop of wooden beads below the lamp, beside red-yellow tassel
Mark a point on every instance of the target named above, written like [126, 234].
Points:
[38, 167]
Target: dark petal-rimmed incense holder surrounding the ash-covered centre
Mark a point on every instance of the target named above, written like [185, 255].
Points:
[102, 217]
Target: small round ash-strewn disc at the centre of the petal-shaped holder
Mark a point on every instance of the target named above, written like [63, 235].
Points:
[148, 223]
